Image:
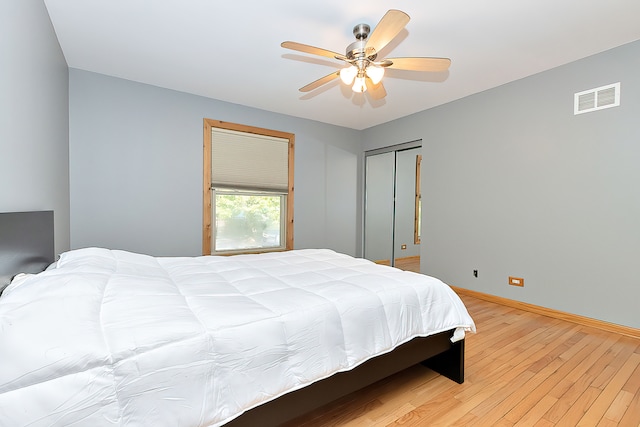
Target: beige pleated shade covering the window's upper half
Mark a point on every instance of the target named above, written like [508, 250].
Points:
[249, 161]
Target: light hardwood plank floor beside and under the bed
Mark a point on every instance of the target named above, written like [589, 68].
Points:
[522, 369]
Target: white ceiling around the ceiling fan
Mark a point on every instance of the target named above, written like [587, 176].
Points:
[230, 50]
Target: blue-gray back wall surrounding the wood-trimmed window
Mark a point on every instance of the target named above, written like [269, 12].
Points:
[136, 169]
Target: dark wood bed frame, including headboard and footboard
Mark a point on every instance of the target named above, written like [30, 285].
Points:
[26, 245]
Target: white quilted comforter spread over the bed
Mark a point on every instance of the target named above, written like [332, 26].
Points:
[116, 338]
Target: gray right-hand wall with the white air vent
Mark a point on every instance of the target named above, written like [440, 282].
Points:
[514, 184]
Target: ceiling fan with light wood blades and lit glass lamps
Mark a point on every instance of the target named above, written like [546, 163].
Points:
[365, 70]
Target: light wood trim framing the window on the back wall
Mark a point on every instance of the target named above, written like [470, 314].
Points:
[207, 219]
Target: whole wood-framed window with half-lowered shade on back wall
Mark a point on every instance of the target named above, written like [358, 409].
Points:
[247, 189]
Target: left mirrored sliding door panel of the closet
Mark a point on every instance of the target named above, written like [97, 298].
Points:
[379, 207]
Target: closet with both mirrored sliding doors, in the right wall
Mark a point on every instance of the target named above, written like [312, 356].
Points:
[392, 206]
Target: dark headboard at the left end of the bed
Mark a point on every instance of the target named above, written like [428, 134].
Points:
[26, 243]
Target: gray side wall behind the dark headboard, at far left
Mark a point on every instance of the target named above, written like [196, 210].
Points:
[34, 116]
